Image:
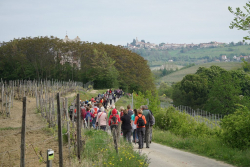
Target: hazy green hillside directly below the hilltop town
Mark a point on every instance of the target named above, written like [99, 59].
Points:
[196, 55]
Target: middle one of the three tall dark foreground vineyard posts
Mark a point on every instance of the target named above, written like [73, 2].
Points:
[59, 131]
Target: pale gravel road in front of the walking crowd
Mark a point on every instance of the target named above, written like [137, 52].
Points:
[163, 156]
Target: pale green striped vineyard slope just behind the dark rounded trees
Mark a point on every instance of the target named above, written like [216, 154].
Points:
[178, 75]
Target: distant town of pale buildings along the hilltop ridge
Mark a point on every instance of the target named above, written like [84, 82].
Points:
[136, 44]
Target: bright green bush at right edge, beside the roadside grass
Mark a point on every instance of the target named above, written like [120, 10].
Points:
[236, 128]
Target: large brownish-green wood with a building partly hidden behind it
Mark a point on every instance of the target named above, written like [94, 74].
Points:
[49, 58]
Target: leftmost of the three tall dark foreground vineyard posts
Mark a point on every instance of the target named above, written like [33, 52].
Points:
[22, 160]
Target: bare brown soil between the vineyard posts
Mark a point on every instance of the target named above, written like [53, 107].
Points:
[38, 140]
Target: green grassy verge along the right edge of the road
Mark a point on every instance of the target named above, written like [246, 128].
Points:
[207, 146]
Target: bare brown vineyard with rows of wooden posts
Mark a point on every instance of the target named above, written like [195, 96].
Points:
[41, 122]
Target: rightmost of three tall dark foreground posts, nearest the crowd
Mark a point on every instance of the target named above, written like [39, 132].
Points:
[78, 127]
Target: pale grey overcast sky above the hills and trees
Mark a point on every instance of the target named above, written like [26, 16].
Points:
[119, 22]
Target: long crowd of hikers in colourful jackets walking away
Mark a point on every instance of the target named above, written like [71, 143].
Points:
[137, 123]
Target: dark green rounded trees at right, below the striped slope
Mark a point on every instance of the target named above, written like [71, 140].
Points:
[213, 89]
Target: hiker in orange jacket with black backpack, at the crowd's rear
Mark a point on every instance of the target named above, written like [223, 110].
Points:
[140, 121]
